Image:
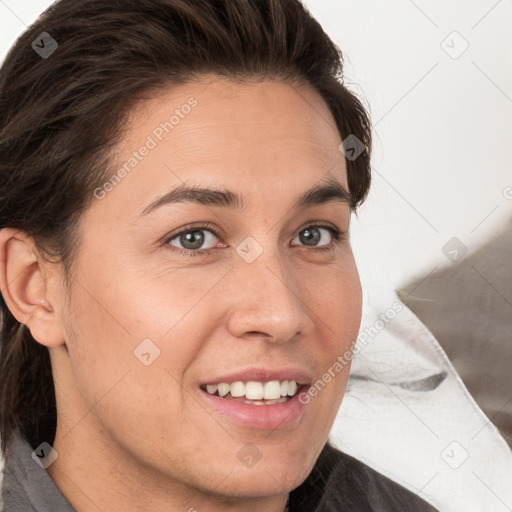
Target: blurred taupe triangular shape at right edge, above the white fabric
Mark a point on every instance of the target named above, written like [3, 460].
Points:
[468, 308]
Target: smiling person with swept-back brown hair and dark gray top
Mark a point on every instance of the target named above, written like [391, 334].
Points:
[177, 181]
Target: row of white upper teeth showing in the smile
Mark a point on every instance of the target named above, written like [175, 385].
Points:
[253, 390]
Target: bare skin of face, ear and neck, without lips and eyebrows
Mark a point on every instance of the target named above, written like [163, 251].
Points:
[134, 437]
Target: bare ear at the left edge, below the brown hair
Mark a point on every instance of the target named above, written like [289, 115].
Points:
[23, 283]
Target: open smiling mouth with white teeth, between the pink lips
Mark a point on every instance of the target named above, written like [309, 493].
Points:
[255, 393]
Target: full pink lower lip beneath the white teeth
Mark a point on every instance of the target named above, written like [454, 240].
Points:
[263, 417]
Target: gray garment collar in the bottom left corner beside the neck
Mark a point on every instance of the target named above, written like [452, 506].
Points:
[27, 487]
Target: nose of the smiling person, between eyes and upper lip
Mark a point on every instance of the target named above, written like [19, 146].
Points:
[267, 302]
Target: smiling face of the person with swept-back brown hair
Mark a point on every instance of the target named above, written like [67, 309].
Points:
[168, 296]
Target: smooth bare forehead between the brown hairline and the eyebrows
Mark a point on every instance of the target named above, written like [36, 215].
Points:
[263, 138]
